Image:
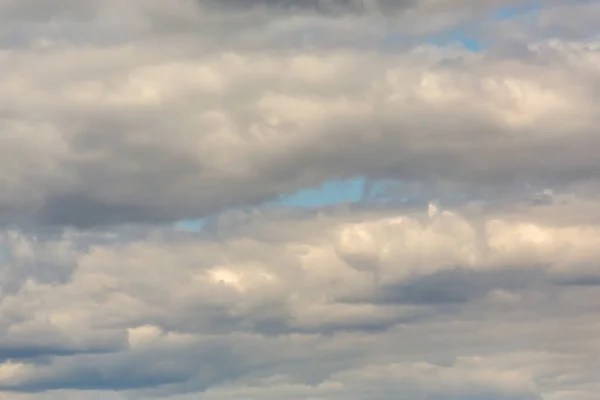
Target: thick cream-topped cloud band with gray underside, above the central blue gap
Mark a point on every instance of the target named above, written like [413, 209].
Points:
[199, 159]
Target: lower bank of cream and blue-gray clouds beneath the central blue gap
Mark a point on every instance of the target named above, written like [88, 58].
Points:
[246, 312]
